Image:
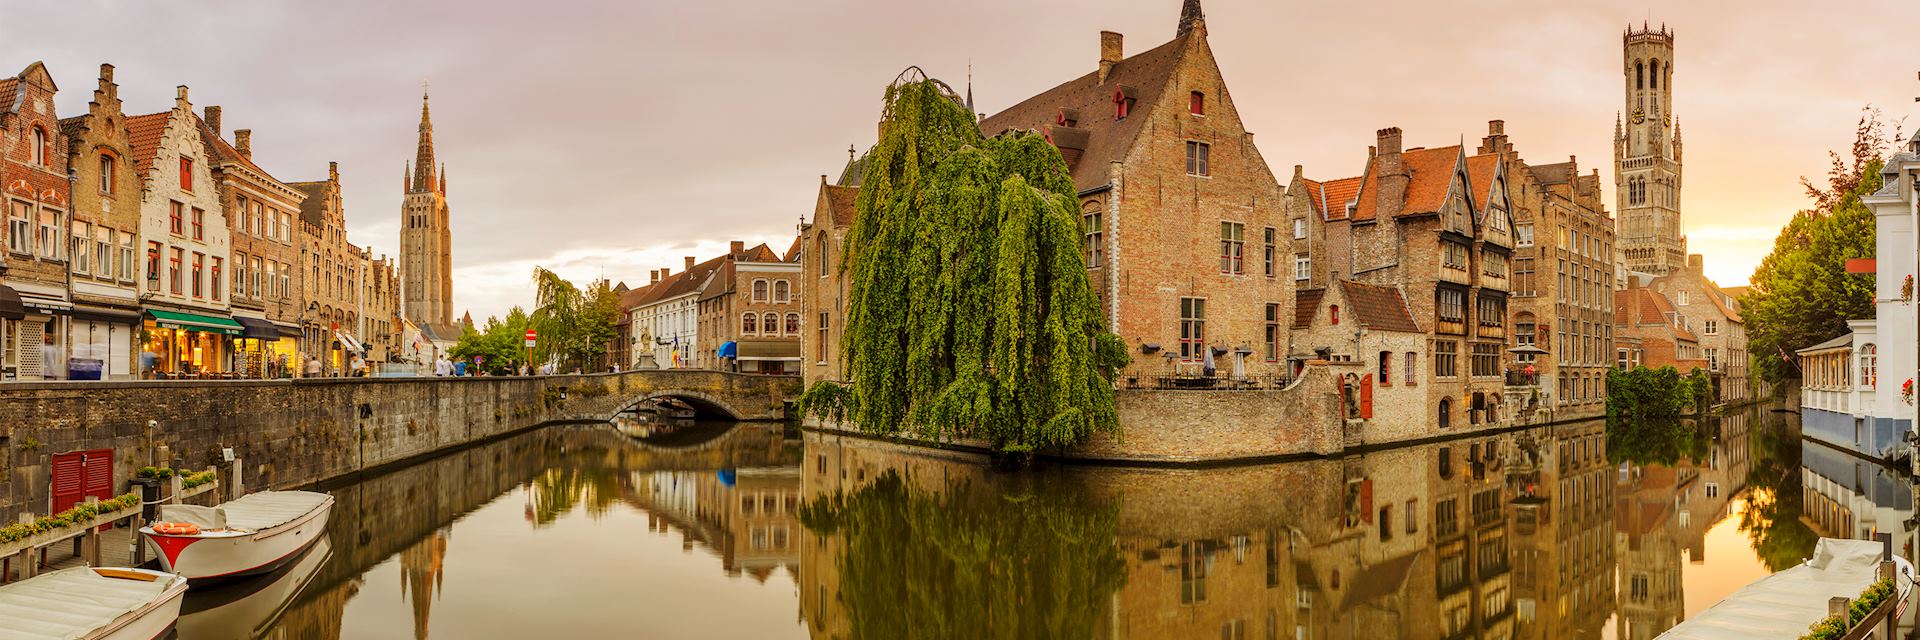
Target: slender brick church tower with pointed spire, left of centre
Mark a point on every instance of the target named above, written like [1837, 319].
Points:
[425, 237]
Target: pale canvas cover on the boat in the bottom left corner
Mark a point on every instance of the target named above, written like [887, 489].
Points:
[74, 603]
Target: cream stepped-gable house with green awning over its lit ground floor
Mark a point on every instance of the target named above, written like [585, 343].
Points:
[189, 330]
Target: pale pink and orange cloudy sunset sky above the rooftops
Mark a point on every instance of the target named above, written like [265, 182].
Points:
[617, 137]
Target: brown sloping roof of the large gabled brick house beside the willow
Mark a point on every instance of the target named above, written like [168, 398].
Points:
[1109, 137]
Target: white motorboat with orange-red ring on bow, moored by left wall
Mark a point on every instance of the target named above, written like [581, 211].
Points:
[251, 535]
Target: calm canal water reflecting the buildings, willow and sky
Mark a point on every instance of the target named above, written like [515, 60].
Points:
[752, 531]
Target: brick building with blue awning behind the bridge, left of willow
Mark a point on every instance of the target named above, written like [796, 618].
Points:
[750, 312]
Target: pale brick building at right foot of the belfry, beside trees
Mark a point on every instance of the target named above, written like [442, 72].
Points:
[1716, 320]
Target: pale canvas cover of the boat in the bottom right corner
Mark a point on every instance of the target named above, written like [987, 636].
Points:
[1785, 604]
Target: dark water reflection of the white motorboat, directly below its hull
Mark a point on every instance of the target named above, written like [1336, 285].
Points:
[247, 610]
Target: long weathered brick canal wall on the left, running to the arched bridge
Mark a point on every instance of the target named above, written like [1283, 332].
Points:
[293, 433]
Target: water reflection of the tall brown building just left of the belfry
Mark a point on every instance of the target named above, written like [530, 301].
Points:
[1562, 531]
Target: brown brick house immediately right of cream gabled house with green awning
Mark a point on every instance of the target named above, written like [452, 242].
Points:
[266, 247]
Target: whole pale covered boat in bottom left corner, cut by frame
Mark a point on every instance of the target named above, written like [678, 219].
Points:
[91, 604]
